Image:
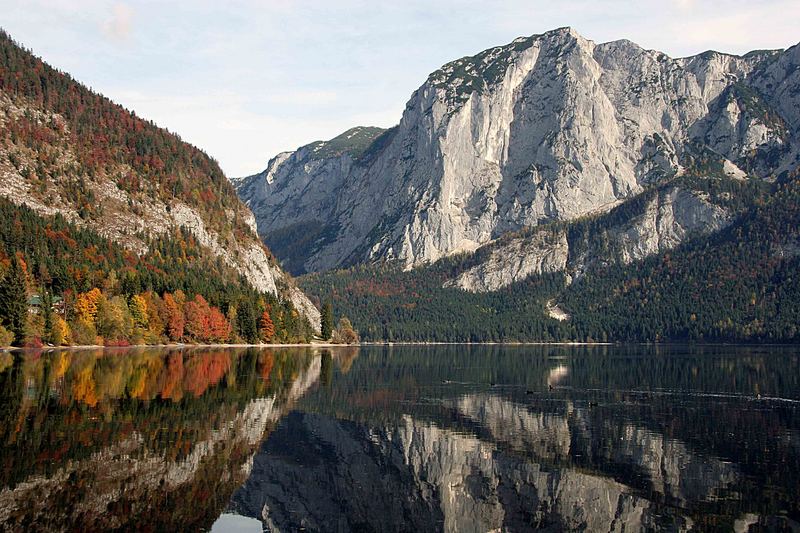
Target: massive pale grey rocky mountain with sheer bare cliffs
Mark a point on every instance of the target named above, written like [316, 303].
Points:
[547, 129]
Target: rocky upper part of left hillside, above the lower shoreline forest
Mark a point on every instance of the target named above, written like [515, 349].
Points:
[65, 149]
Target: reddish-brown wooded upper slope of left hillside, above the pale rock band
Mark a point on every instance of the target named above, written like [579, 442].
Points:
[61, 136]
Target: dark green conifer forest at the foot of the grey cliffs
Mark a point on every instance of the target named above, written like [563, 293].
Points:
[740, 284]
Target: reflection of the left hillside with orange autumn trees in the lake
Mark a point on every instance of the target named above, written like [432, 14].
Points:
[136, 439]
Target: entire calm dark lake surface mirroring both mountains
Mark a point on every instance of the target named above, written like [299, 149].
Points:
[446, 438]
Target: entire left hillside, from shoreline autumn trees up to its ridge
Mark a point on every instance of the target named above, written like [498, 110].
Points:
[128, 234]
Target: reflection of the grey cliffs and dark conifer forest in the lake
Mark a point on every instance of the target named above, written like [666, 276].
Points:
[514, 439]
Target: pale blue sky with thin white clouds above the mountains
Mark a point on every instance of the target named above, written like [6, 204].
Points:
[245, 80]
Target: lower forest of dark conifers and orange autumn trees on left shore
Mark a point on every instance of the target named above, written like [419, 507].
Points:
[62, 284]
